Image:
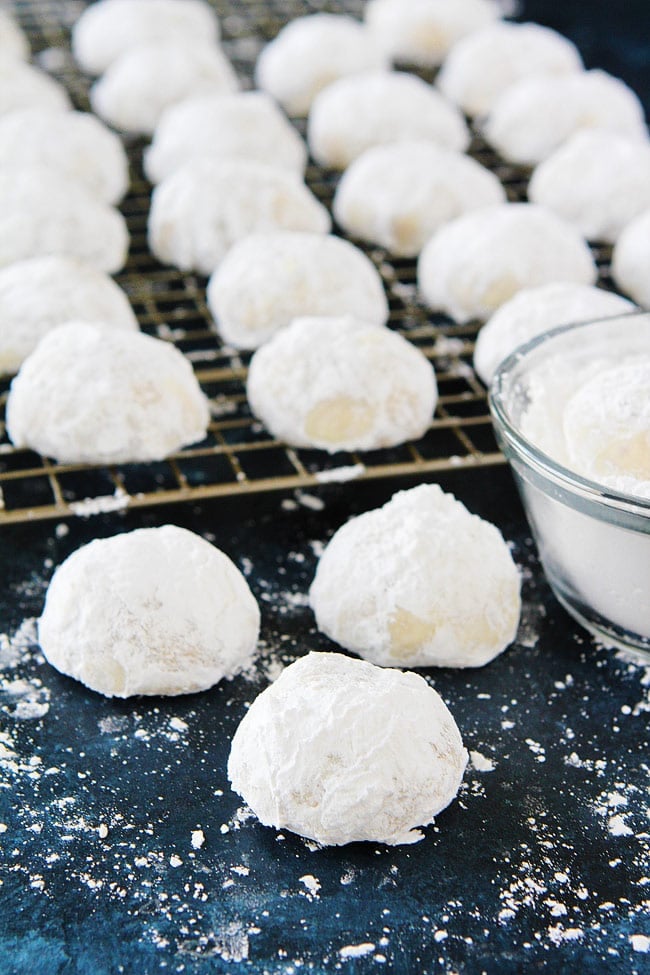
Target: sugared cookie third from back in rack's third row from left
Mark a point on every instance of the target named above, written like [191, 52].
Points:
[398, 195]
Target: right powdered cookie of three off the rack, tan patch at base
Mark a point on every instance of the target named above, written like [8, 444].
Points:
[420, 582]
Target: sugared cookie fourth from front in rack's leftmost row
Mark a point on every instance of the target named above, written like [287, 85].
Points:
[74, 143]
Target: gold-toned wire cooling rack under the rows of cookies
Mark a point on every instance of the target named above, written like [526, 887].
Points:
[238, 456]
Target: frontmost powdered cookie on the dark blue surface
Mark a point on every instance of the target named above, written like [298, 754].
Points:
[340, 751]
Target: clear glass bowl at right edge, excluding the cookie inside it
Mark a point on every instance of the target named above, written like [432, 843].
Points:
[594, 543]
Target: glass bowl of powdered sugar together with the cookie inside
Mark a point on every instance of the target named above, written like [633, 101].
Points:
[571, 411]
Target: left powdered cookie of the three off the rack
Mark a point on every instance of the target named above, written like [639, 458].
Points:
[152, 611]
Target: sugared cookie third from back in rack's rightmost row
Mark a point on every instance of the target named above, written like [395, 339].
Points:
[536, 115]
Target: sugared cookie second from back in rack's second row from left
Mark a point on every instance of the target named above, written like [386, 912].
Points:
[148, 78]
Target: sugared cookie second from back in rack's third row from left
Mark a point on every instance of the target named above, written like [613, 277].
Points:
[365, 110]
